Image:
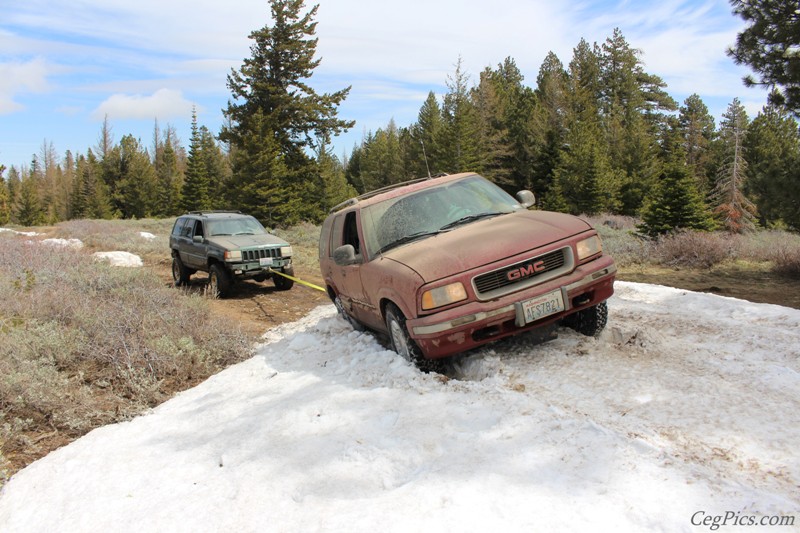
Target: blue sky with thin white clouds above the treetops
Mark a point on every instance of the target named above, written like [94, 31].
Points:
[65, 65]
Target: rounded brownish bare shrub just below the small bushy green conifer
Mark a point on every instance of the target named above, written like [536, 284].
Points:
[695, 249]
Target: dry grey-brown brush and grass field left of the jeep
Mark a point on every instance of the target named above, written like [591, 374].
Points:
[83, 343]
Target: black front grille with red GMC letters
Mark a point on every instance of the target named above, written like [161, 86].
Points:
[523, 274]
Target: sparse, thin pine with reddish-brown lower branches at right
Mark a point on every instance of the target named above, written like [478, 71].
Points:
[735, 211]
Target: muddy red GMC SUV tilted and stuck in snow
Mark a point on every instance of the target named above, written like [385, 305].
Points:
[445, 264]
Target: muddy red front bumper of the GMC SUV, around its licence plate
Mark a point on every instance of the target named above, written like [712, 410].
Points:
[476, 323]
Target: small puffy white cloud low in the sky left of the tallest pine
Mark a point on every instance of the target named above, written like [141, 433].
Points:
[162, 104]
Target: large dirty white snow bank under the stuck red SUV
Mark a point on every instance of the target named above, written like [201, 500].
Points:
[688, 403]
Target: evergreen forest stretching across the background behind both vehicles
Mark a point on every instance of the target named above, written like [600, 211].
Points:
[597, 134]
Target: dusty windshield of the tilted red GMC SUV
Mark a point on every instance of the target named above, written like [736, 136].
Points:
[430, 211]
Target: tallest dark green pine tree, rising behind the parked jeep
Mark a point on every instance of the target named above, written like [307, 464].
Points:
[278, 117]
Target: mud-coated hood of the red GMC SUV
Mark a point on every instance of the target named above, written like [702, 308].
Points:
[486, 241]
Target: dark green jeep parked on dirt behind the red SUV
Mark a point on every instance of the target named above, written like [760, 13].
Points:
[229, 246]
